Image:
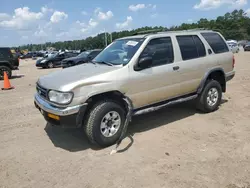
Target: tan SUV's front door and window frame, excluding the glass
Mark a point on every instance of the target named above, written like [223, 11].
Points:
[148, 86]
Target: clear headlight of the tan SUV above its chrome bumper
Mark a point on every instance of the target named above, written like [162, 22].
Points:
[60, 97]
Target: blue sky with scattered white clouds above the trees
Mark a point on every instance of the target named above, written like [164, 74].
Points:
[39, 21]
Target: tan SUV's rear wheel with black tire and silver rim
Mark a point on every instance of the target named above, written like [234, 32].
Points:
[210, 104]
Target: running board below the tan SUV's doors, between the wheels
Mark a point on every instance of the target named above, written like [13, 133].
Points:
[168, 103]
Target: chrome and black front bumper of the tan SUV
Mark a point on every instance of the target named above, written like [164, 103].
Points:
[68, 116]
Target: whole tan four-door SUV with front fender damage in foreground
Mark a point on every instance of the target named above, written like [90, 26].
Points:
[136, 75]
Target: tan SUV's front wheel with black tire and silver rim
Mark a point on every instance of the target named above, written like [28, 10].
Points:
[98, 116]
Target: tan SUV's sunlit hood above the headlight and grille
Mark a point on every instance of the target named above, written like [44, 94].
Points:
[61, 79]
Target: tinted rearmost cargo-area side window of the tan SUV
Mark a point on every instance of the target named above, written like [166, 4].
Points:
[216, 42]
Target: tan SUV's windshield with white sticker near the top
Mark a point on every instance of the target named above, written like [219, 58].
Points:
[120, 51]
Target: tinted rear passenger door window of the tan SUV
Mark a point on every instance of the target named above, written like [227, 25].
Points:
[191, 47]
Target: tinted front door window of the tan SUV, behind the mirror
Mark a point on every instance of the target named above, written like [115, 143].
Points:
[161, 50]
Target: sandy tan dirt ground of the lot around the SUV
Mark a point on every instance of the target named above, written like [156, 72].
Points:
[173, 147]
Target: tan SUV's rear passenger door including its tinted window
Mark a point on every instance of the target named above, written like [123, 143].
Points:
[192, 63]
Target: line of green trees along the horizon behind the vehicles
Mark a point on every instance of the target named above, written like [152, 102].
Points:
[234, 25]
